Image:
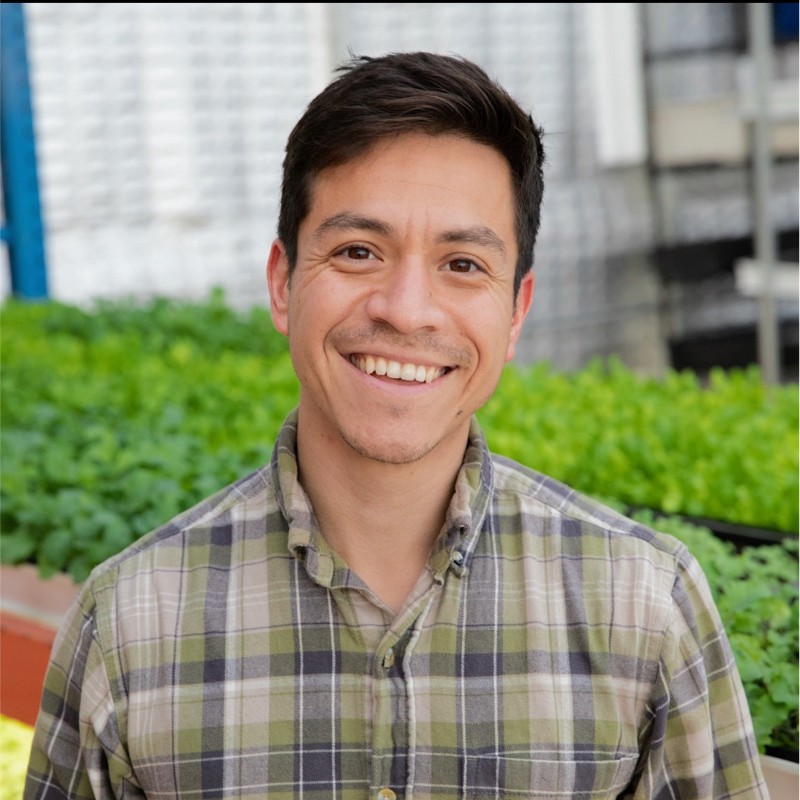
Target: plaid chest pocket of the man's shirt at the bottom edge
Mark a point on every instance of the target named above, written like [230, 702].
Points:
[491, 776]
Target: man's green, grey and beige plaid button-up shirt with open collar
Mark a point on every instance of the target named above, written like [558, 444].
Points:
[552, 649]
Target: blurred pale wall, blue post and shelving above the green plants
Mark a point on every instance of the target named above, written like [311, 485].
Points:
[142, 147]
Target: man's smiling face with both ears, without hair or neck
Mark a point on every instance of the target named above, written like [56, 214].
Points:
[400, 311]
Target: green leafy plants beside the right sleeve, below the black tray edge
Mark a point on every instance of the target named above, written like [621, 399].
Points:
[756, 592]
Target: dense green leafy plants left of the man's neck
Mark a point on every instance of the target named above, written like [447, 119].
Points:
[116, 420]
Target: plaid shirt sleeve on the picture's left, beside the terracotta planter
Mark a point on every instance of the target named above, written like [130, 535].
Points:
[77, 750]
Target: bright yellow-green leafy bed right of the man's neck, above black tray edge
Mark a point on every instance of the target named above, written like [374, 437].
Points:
[726, 451]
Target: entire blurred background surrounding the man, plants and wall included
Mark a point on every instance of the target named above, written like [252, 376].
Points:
[140, 149]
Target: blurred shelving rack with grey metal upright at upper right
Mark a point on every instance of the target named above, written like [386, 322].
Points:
[743, 138]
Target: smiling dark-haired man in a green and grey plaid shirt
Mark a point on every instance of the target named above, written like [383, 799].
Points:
[387, 610]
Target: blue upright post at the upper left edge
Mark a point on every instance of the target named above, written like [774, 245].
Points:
[23, 231]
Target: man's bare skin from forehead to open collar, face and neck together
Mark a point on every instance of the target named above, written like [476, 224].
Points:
[400, 312]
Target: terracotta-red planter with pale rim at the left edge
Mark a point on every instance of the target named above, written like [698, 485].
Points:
[31, 609]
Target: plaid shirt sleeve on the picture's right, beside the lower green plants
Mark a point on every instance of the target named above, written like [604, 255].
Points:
[700, 743]
